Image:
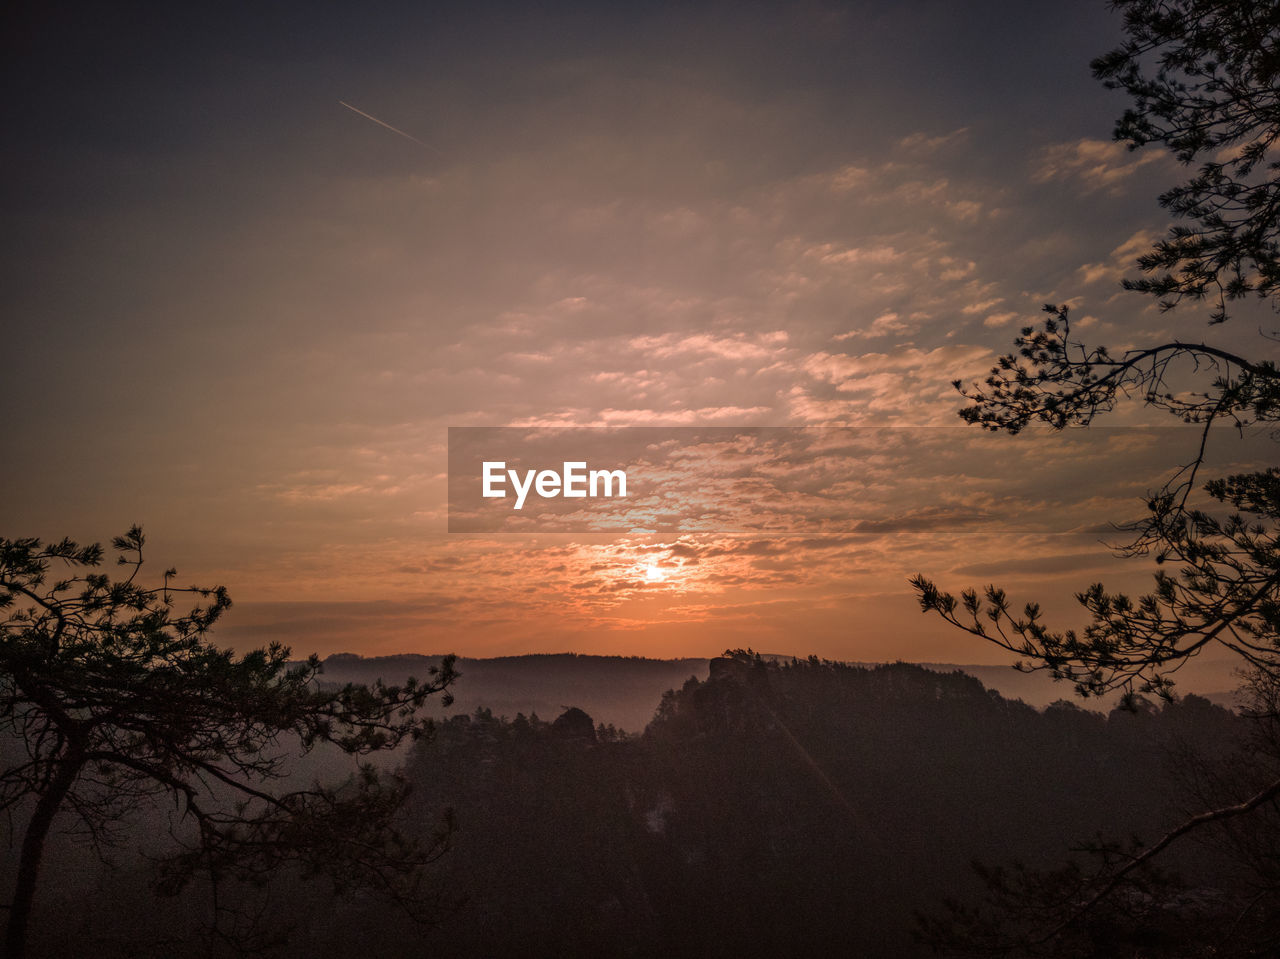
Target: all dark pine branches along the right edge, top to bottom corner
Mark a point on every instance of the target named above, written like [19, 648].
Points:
[1205, 83]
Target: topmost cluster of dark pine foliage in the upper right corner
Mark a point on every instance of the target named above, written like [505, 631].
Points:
[1214, 98]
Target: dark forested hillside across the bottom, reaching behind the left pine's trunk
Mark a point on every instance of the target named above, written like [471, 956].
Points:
[775, 809]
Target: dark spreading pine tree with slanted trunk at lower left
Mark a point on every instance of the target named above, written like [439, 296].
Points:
[116, 700]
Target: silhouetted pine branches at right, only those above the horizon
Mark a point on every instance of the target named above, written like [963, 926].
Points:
[1215, 89]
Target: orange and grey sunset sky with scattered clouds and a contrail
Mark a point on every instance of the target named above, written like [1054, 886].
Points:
[260, 259]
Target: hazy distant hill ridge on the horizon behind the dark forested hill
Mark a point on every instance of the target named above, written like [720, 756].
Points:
[625, 691]
